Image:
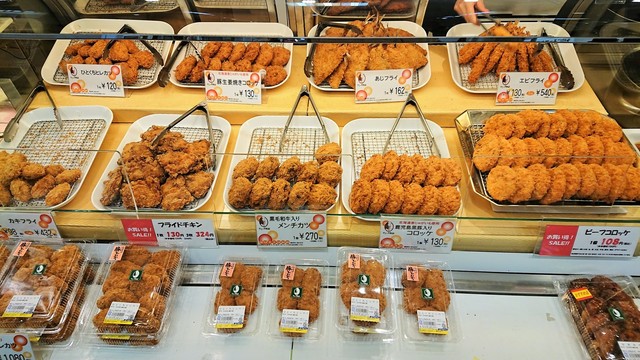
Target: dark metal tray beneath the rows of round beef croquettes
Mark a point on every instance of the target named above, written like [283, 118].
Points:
[470, 127]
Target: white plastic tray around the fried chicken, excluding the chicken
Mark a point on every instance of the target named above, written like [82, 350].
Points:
[193, 128]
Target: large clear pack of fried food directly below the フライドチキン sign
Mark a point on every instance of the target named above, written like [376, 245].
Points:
[138, 285]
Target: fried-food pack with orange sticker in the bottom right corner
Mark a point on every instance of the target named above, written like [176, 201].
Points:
[605, 312]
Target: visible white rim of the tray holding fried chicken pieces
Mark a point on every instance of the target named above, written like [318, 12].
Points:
[143, 124]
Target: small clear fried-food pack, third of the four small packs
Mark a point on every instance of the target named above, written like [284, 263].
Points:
[364, 303]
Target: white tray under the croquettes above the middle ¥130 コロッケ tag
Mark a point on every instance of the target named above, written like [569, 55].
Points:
[380, 124]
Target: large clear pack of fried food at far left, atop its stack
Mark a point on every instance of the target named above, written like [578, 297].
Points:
[40, 286]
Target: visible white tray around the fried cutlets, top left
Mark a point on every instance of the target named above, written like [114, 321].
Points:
[52, 74]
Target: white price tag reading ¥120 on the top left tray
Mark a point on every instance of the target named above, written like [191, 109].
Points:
[95, 80]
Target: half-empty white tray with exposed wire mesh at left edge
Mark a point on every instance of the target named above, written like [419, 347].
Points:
[74, 146]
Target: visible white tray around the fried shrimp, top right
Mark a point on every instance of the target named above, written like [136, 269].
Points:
[567, 51]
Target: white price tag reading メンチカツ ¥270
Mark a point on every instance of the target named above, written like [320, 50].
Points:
[292, 230]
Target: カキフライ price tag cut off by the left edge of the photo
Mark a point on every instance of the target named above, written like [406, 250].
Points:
[28, 225]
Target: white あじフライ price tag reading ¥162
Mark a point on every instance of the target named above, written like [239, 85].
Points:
[383, 85]
